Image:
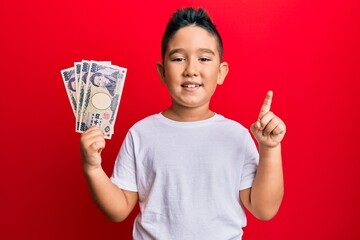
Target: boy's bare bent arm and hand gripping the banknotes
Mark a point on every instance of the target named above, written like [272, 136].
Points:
[114, 202]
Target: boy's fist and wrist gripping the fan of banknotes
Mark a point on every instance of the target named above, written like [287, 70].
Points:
[92, 142]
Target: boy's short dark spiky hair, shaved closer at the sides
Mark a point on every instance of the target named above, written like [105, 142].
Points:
[188, 16]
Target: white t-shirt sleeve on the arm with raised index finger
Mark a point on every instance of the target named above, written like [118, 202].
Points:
[251, 163]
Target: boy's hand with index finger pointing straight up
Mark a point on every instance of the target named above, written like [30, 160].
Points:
[269, 129]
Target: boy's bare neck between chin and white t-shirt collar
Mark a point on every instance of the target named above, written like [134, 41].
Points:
[188, 114]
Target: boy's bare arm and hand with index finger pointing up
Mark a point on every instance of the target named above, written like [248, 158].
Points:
[264, 198]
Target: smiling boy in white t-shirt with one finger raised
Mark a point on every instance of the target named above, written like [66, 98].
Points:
[191, 170]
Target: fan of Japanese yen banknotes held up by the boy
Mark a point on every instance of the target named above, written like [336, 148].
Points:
[94, 89]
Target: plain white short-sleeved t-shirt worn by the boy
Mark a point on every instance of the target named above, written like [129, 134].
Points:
[188, 176]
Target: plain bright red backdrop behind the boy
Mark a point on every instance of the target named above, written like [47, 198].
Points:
[307, 52]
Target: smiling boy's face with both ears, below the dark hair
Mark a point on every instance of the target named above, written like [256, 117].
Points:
[191, 68]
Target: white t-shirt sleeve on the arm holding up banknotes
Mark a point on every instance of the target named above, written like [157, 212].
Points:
[124, 173]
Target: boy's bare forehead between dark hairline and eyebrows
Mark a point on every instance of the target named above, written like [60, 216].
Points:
[192, 38]
